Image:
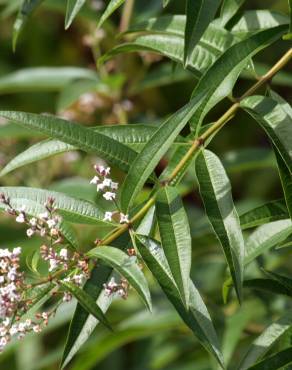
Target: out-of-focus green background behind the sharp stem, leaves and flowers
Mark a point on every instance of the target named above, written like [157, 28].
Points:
[129, 90]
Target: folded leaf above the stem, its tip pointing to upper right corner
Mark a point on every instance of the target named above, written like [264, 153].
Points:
[222, 75]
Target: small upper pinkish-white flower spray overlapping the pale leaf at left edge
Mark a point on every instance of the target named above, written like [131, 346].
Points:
[46, 224]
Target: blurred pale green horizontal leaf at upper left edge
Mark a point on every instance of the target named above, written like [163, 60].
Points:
[43, 79]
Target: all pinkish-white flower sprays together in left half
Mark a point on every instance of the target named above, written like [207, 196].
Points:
[18, 293]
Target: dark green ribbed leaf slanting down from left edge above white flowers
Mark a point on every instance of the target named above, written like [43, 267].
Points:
[84, 138]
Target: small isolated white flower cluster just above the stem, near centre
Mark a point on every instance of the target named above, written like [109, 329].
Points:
[108, 188]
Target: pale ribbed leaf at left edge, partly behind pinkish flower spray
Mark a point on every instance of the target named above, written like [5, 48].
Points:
[71, 209]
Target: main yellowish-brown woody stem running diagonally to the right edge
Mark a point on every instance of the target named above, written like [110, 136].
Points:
[200, 141]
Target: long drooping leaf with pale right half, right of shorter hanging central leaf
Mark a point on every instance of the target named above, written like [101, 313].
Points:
[215, 190]
